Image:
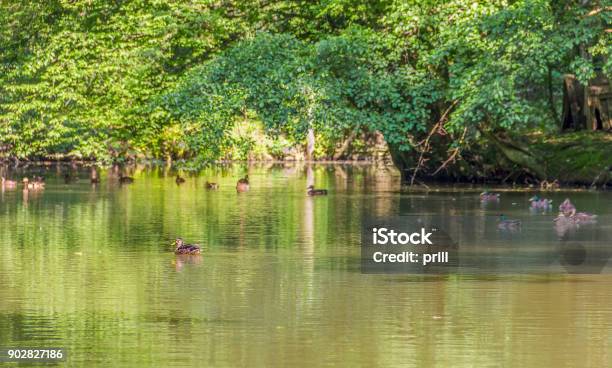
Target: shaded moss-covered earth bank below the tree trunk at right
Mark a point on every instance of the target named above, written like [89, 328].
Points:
[578, 158]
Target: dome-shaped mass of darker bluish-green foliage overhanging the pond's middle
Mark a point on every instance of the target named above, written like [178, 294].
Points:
[350, 81]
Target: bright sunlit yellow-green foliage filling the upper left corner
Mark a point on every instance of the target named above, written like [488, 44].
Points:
[76, 74]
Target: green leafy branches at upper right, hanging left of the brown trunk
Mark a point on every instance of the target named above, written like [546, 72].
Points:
[496, 61]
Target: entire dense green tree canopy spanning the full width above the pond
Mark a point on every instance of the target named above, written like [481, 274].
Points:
[107, 80]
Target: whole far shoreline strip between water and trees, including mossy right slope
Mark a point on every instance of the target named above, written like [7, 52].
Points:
[578, 160]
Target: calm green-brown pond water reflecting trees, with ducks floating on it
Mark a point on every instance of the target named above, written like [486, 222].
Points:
[91, 269]
